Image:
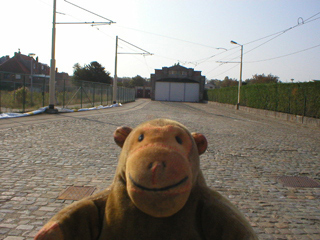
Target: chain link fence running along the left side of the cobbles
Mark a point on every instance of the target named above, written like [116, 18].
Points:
[23, 93]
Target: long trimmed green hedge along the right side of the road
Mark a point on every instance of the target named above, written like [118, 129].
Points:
[294, 98]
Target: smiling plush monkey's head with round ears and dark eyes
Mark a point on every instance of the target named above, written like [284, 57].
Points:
[159, 164]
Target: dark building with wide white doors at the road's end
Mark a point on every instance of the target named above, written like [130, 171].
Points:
[177, 83]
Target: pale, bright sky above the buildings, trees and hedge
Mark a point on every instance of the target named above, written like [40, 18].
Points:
[194, 33]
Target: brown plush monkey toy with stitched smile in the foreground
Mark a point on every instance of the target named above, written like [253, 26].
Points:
[158, 192]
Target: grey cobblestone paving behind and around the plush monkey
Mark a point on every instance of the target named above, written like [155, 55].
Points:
[41, 156]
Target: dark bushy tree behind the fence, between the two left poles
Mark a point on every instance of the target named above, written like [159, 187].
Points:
[93, 72]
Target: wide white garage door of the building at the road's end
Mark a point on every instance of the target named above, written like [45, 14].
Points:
[177, 92]
